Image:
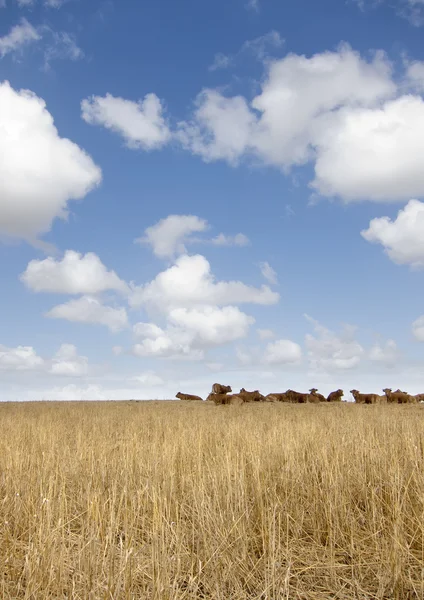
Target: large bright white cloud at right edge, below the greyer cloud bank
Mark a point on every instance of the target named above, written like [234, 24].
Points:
[385, 145]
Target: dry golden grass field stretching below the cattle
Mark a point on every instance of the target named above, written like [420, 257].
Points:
[178, 501]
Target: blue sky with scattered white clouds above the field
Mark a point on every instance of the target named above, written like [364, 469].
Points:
[210, 191]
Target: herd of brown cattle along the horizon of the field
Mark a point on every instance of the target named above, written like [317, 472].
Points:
[221, 394]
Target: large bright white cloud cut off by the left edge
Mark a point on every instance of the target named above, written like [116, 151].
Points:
[39, 171]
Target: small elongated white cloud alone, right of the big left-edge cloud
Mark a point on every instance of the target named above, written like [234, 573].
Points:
[141, 123]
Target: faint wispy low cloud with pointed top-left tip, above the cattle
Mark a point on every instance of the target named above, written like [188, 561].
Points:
[328, 351]
